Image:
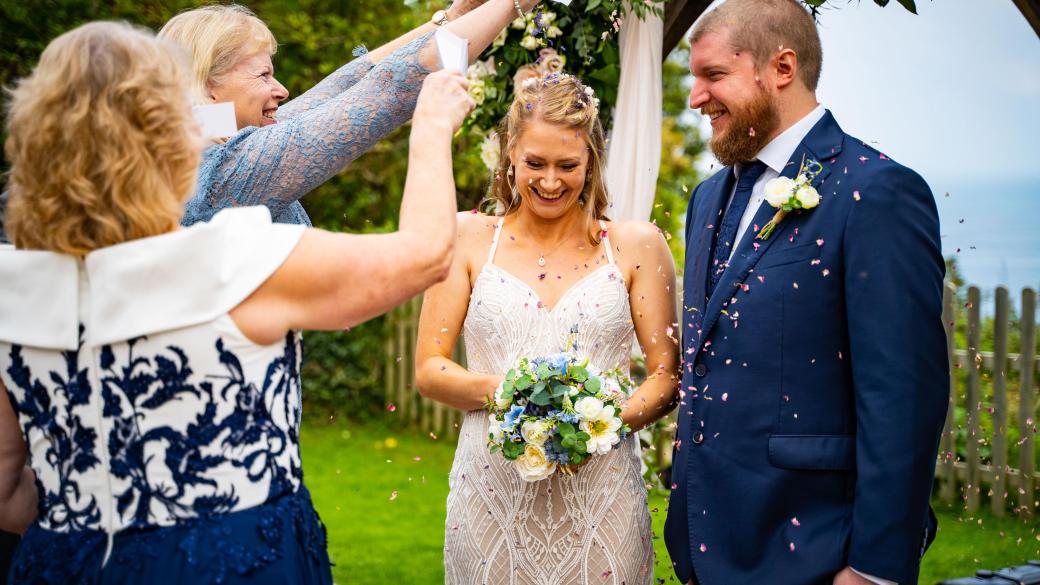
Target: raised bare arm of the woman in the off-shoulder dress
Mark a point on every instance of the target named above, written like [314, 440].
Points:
[334, 282]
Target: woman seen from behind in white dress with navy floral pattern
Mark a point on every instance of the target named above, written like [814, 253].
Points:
[148, 373]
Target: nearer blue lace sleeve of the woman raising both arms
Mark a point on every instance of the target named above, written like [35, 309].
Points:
[277, 165]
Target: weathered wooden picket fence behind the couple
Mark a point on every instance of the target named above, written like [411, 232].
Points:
[979, 419]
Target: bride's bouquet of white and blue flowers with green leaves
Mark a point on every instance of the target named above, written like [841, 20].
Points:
[556, 412]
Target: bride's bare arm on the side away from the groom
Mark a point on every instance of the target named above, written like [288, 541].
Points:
[445, 307]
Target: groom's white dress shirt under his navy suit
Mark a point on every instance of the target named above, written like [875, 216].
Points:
[775, 156]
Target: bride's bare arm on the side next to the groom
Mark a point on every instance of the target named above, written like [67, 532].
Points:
[653, 298]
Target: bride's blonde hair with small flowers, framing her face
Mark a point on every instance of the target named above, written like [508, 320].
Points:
[563, 100]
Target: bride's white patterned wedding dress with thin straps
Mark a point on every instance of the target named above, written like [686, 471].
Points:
[593, 527]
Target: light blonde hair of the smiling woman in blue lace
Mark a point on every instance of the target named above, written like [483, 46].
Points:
[218, 38]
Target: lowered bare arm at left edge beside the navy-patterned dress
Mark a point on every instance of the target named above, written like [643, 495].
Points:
[18, 487]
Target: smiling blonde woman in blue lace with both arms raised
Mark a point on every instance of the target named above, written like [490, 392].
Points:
[283, 152]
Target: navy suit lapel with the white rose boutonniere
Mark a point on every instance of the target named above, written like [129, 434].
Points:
[824, 141]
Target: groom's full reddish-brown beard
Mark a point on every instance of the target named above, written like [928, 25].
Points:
[748, 132]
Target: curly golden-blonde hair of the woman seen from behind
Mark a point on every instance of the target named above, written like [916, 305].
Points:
[101, 142]
